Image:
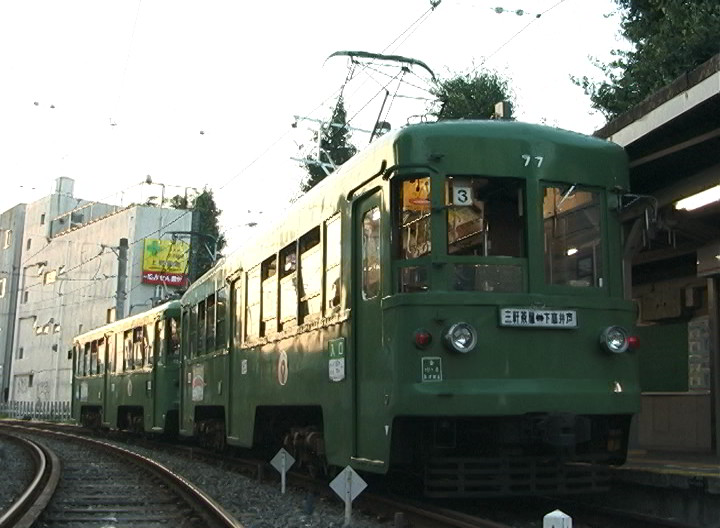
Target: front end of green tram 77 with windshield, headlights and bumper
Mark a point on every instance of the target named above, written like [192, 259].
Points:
[507, 330]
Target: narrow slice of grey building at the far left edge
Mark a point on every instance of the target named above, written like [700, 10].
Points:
[12, 223]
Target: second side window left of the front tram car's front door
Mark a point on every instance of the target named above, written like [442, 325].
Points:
[310, 275]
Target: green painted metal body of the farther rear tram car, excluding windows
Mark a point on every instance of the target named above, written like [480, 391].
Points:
[149, 392]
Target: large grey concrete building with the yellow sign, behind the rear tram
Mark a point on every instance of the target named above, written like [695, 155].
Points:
[72, 270]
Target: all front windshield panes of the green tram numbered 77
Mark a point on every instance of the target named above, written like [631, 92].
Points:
[484, 244]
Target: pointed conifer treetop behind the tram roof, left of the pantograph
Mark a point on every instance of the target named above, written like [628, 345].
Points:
[334, 148]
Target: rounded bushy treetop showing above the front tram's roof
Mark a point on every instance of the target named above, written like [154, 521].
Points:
[470, 96]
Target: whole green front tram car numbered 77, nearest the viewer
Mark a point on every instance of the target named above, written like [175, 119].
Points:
[447, 305]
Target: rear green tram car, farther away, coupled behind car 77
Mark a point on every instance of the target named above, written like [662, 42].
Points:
[126, 372]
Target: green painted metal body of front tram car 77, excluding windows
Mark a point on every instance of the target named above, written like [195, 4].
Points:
[512, 372]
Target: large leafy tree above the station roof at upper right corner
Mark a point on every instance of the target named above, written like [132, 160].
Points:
[669, 37]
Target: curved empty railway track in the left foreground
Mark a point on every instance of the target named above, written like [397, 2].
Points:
[101, 484]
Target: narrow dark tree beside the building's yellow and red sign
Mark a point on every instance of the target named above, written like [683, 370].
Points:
[206, 236]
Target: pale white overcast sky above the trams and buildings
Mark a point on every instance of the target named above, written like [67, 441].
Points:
[199, 94]
